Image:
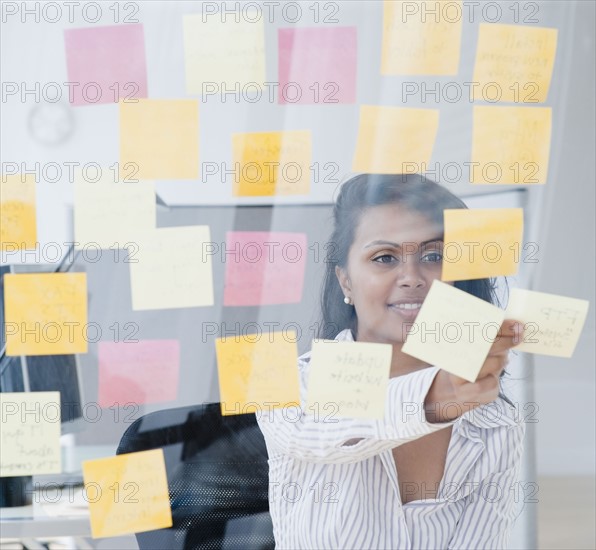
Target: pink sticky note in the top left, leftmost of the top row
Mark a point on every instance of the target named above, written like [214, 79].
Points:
[106, 64]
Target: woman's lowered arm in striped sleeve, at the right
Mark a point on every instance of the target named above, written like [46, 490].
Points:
[490, 512]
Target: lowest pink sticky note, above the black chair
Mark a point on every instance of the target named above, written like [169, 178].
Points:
[138, 372]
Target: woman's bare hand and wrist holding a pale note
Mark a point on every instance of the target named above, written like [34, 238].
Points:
[450, 396]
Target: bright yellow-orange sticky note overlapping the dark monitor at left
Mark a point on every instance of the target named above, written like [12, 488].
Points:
[46, 313]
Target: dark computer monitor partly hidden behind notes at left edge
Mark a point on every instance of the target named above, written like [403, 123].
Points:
[35, 373]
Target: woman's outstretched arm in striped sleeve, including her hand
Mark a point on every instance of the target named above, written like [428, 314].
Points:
[417, 404]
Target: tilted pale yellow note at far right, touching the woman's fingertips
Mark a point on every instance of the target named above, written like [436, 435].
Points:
[552, 324]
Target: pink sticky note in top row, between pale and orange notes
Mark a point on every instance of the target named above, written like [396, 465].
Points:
[317, 65]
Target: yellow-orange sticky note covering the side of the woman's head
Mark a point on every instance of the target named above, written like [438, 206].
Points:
[481, 243]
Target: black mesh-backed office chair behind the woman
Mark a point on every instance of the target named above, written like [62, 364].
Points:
[217, 477]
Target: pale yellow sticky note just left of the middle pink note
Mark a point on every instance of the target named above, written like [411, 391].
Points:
[171, 267]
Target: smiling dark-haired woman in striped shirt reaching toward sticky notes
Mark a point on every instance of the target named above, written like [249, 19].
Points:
[441, 478]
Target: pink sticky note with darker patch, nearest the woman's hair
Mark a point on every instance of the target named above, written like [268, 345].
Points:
[264, 268]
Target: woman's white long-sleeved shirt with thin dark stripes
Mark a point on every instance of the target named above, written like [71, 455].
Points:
[333, 481]
